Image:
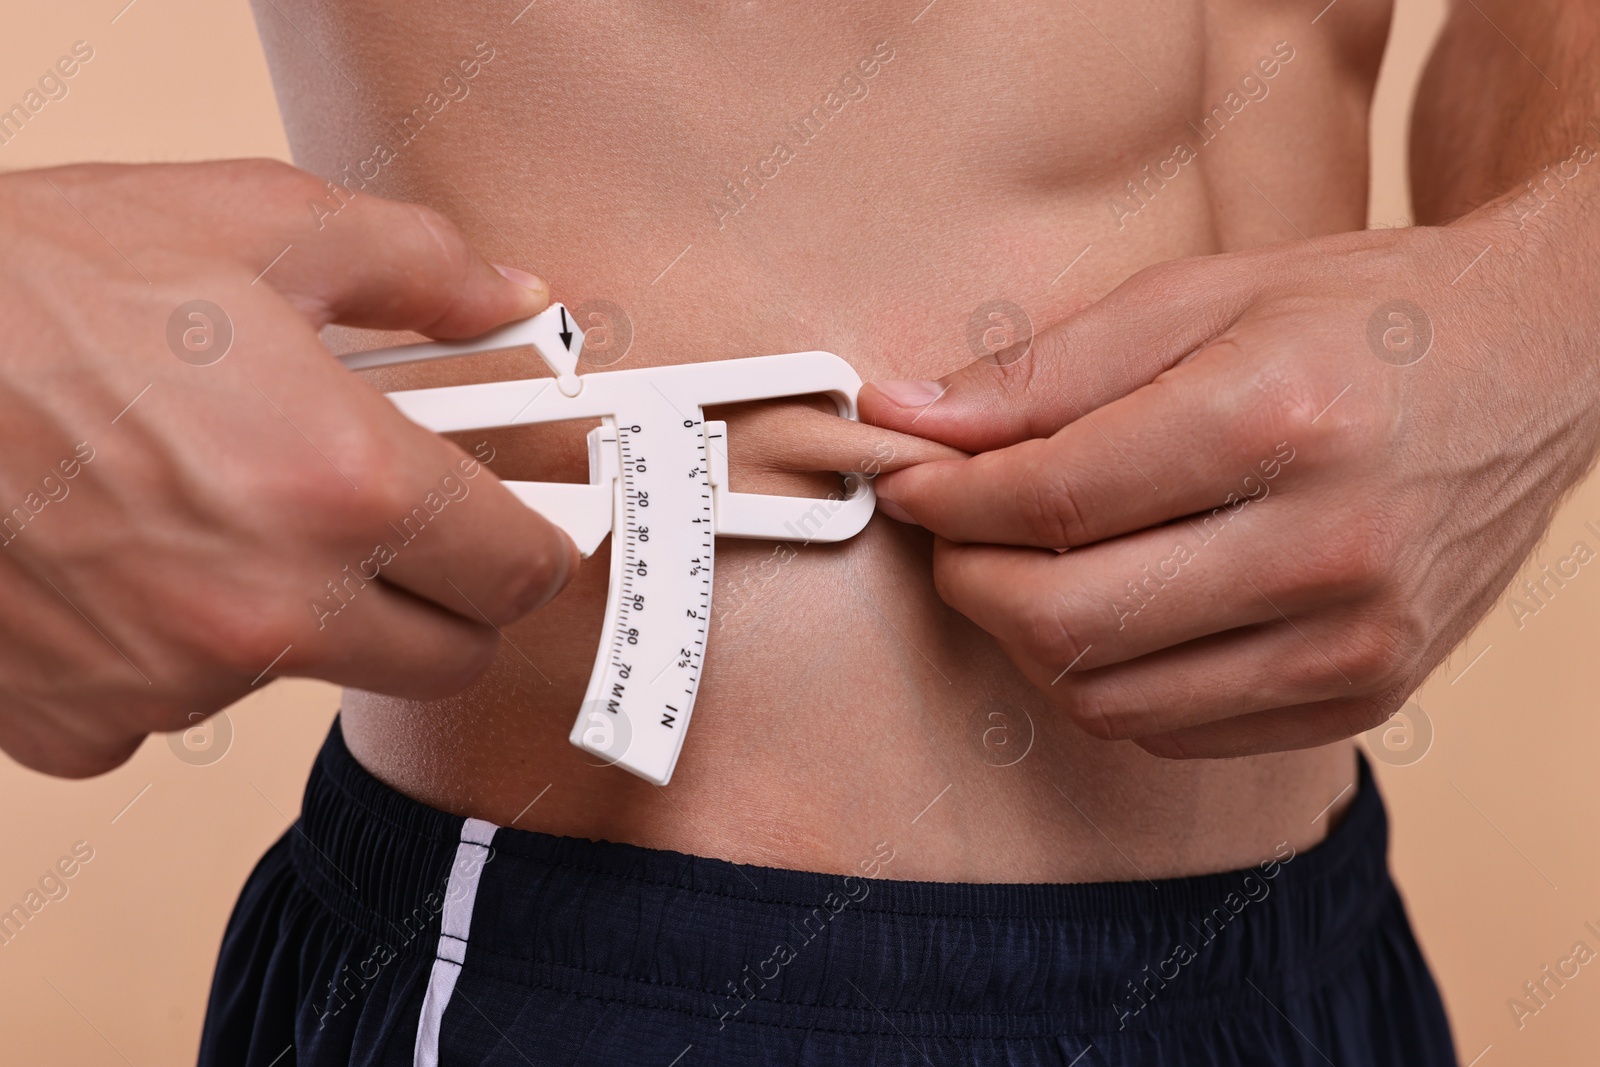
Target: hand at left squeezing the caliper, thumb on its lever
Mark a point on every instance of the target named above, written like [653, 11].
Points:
[175, 530]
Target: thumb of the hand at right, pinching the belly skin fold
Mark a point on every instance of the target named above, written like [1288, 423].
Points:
[1103, 353]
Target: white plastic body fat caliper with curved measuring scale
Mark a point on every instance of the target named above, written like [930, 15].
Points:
[658, 482]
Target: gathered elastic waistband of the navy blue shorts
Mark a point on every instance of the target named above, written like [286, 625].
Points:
[734, 941]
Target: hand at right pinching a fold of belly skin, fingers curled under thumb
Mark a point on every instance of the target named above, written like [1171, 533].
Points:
[1247, 503]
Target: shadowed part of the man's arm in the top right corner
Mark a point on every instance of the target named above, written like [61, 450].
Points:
[1511, 89]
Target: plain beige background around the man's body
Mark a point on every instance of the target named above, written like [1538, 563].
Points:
[1497, 826]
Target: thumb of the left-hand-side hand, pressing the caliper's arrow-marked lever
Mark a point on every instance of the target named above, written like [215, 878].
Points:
[388, 265]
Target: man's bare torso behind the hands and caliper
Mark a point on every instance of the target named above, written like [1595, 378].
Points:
[743, 180]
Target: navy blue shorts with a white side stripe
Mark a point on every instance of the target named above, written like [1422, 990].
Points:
[383, 932]
